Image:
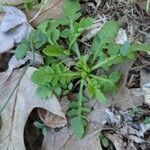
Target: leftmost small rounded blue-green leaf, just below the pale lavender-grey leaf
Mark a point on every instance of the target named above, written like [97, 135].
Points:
[21, 51]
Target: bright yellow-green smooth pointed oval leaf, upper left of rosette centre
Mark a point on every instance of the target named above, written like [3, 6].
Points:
[55, 50]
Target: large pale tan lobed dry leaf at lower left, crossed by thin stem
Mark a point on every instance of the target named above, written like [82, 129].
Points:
[20, 105]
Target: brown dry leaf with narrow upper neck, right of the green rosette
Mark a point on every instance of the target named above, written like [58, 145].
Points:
[125, 98]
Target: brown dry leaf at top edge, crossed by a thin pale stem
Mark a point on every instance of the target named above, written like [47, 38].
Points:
[54, 8]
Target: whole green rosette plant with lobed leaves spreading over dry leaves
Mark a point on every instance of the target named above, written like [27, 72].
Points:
[90, 71]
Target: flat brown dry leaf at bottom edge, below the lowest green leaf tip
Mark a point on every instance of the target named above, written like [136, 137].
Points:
[64, 140]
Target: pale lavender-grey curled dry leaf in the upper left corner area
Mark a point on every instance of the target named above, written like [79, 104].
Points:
[14, 28]
